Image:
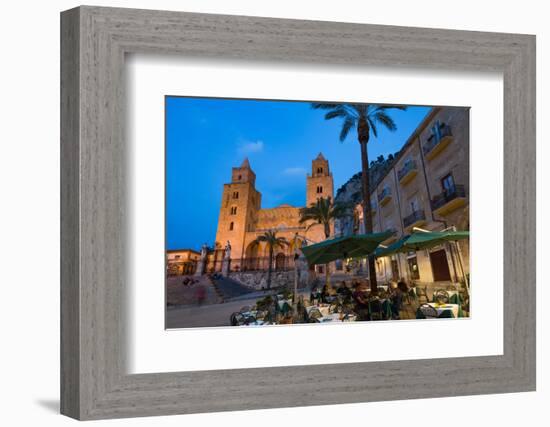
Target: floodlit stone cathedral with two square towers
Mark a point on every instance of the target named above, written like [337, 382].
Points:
[242, 218]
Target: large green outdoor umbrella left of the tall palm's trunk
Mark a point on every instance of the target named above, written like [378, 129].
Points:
[354, 246]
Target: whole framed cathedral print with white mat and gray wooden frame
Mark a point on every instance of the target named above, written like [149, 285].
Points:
[277, 213]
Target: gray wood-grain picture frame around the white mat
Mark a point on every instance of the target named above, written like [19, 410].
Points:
[94, 382]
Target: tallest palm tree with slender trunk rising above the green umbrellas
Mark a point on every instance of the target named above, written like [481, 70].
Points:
[365, 118]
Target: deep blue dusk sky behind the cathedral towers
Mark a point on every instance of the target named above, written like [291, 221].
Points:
[206, 137]
